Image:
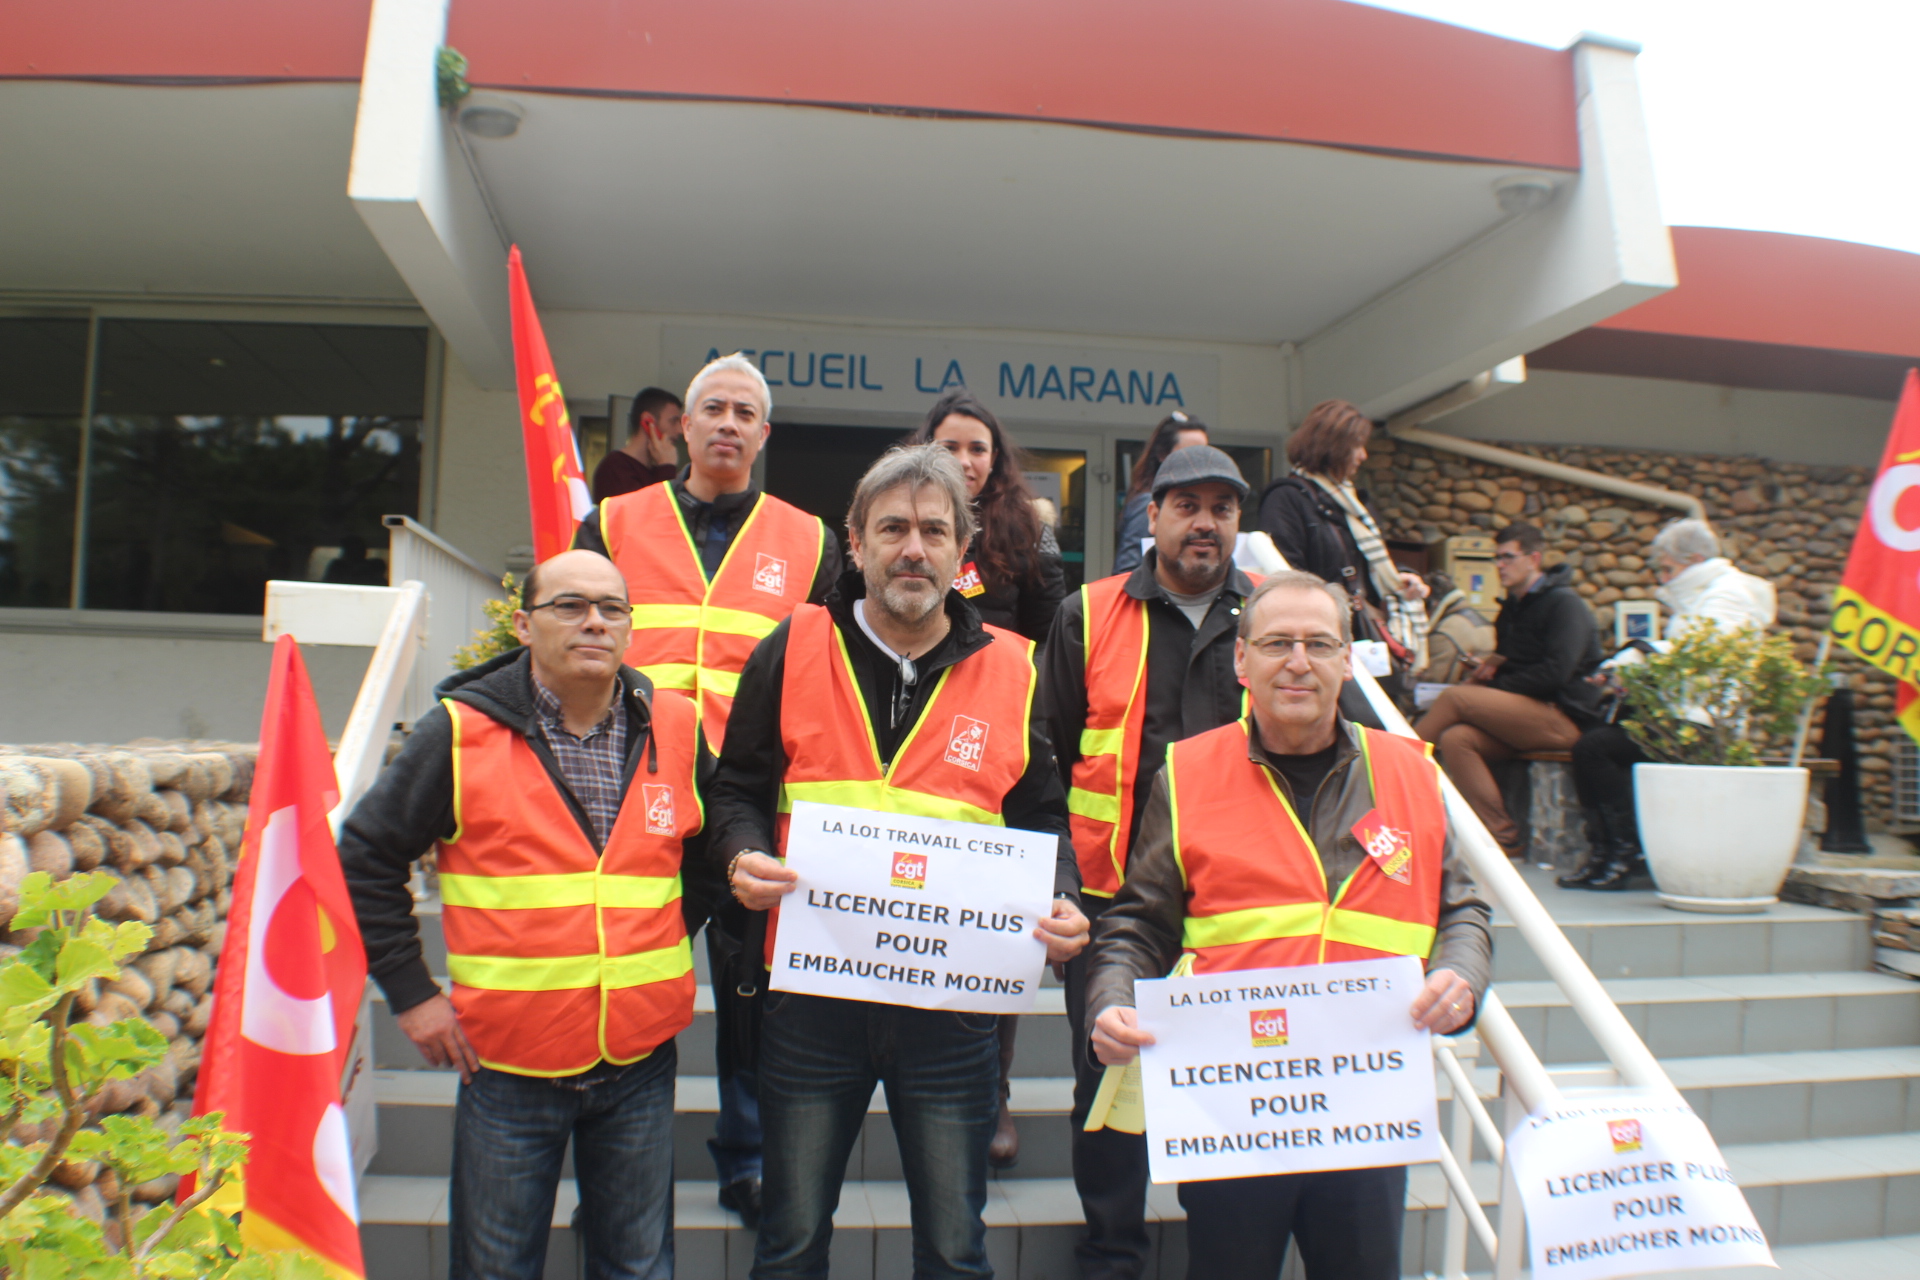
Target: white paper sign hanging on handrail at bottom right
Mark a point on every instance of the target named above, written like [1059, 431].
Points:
[1623, 1183]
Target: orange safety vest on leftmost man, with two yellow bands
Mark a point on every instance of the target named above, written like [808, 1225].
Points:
[564, 957]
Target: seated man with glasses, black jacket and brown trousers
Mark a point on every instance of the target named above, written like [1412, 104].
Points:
[1531, 694]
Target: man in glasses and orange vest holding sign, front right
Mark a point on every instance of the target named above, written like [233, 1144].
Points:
[1249, 857]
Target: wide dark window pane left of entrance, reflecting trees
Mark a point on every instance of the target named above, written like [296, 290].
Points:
[231, 454]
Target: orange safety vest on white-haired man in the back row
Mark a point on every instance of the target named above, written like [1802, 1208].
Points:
[692, 634]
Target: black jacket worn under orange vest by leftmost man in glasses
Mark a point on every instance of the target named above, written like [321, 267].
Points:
[412, 809]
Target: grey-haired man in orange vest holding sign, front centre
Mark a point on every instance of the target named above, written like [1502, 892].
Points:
[894, 698]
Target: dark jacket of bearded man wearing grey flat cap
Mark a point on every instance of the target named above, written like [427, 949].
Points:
[1189, 676]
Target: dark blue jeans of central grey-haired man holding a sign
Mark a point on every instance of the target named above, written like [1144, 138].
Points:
[819, 1064]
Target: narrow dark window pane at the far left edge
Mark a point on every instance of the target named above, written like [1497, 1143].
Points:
[43, 381]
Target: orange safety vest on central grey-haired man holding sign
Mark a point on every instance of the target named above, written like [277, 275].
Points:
[959, 763]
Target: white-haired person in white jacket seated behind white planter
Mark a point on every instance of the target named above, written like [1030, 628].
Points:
[1698, 586]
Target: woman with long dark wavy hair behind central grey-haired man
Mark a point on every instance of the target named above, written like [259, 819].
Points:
[1013, 569]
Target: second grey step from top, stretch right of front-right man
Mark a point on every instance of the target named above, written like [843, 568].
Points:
[1729, 1014]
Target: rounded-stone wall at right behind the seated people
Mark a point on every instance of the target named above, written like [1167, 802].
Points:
[1788, 523]
